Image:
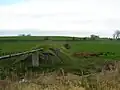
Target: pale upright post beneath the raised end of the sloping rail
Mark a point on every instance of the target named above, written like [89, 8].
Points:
[35, 59]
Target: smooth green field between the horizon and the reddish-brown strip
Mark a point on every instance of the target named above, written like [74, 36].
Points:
[27, 43]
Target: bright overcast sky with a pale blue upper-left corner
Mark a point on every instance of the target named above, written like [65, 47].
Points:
[59, 17]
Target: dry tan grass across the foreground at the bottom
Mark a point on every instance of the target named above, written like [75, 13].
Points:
[54, 81]
